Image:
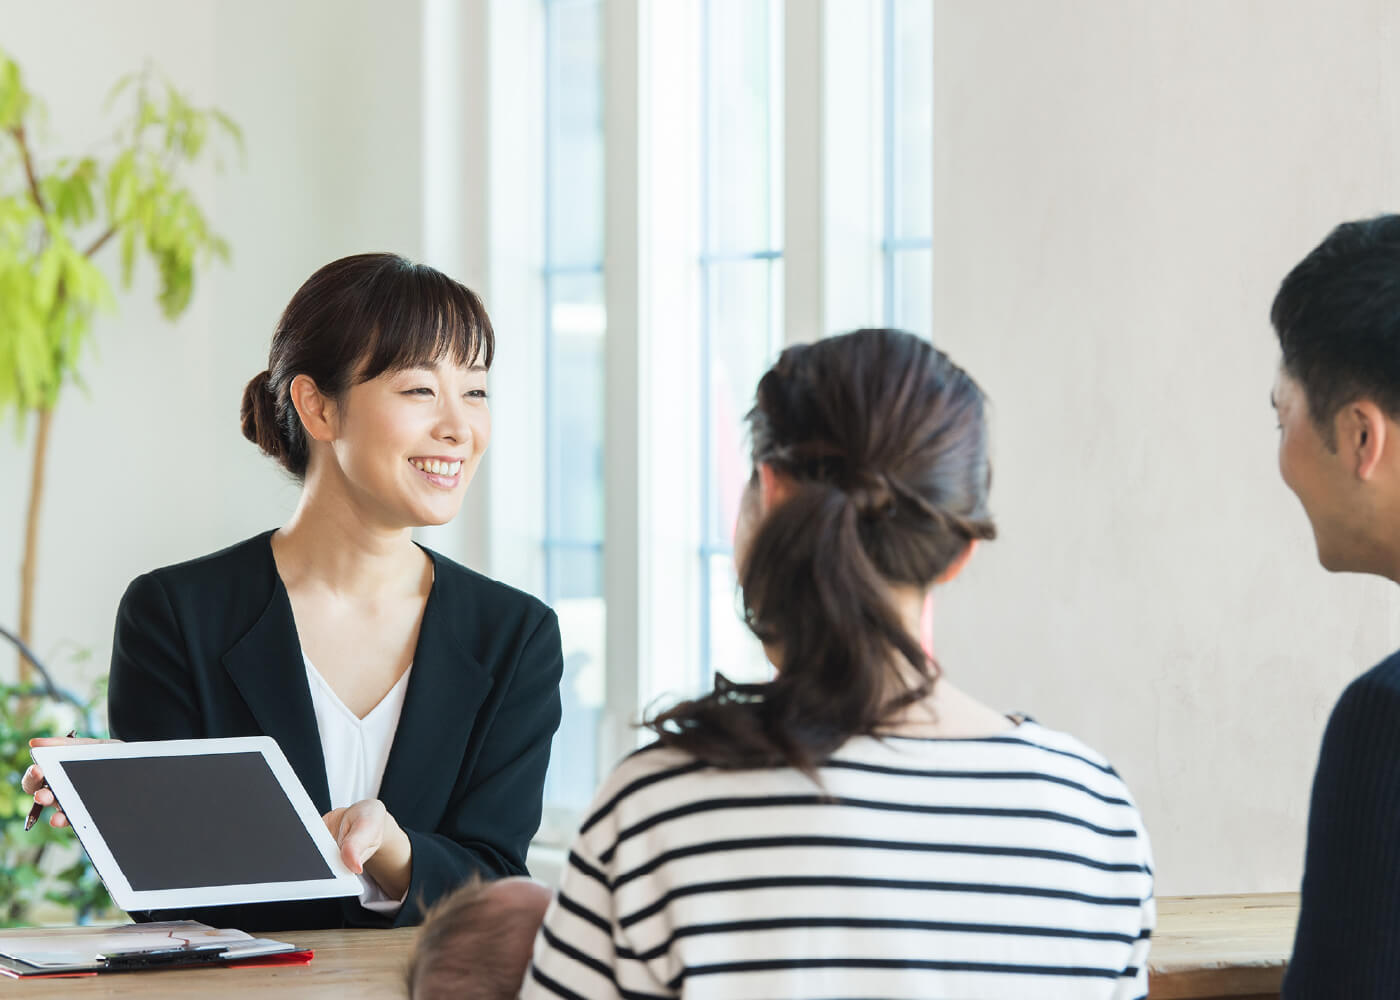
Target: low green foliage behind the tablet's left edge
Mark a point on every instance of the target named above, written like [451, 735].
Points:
[44, 875]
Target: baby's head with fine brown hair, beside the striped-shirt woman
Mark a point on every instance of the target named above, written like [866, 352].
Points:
[472, 946]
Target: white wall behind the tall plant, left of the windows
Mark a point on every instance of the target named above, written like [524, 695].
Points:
[150, 467]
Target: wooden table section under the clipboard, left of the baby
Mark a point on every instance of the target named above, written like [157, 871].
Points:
[349, 964]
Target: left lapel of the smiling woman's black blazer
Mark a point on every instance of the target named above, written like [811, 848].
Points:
[268, 669]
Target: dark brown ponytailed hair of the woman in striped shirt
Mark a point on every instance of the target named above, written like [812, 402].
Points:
[885, 442]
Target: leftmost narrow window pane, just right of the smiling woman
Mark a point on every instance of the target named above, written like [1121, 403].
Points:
[573, 372]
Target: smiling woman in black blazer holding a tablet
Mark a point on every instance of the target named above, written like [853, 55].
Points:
[376, 398]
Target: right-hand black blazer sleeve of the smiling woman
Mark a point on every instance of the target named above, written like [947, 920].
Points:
[496, 809]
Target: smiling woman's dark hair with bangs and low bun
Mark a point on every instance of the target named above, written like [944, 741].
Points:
[352, 321]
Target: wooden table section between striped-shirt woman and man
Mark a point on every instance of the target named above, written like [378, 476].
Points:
[1213, 947]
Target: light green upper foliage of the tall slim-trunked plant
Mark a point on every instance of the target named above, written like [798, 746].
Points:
[57, 216]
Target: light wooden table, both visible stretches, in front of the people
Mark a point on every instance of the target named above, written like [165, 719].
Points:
[1205, 949]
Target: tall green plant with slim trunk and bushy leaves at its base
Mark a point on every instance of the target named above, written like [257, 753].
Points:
[59, 216]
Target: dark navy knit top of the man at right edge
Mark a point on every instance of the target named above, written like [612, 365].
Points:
[1349, 931]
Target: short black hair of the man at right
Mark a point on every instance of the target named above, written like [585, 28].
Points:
[1338, 317]
